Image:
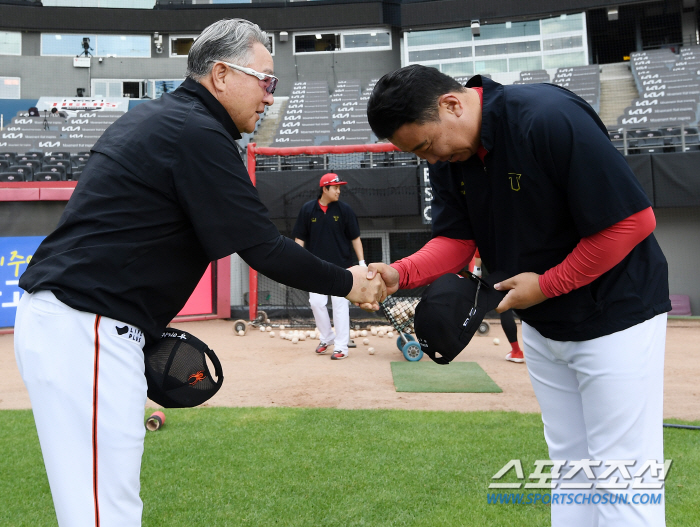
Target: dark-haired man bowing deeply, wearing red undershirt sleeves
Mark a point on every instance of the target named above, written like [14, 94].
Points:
[528, 174]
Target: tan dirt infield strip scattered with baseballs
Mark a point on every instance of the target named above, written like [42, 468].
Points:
[264, 371]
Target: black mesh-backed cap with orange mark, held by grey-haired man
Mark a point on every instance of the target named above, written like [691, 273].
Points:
[177, 372]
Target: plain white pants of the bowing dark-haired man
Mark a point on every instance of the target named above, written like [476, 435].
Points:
[602, 399]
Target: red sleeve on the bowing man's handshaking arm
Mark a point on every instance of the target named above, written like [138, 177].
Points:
[439, 256]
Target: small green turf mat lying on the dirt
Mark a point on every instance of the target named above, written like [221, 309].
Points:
[457, 377]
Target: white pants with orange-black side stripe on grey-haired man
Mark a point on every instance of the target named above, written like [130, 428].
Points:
[85, 377]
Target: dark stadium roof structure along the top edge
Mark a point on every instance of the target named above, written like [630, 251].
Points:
[174, 17]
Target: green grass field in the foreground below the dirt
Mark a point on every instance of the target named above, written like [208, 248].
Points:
[324, 467]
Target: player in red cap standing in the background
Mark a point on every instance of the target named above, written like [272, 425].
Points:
[328, 228]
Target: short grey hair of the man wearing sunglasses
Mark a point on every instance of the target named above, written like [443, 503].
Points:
[231, 40]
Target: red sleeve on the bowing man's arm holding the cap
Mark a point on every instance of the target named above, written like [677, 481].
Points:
[597, 254]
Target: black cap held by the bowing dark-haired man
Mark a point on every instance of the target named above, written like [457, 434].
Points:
[451, 310]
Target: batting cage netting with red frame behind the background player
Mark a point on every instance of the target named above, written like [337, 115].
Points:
[384, 189]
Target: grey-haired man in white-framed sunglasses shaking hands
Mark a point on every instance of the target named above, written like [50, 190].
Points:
[164, 193]
